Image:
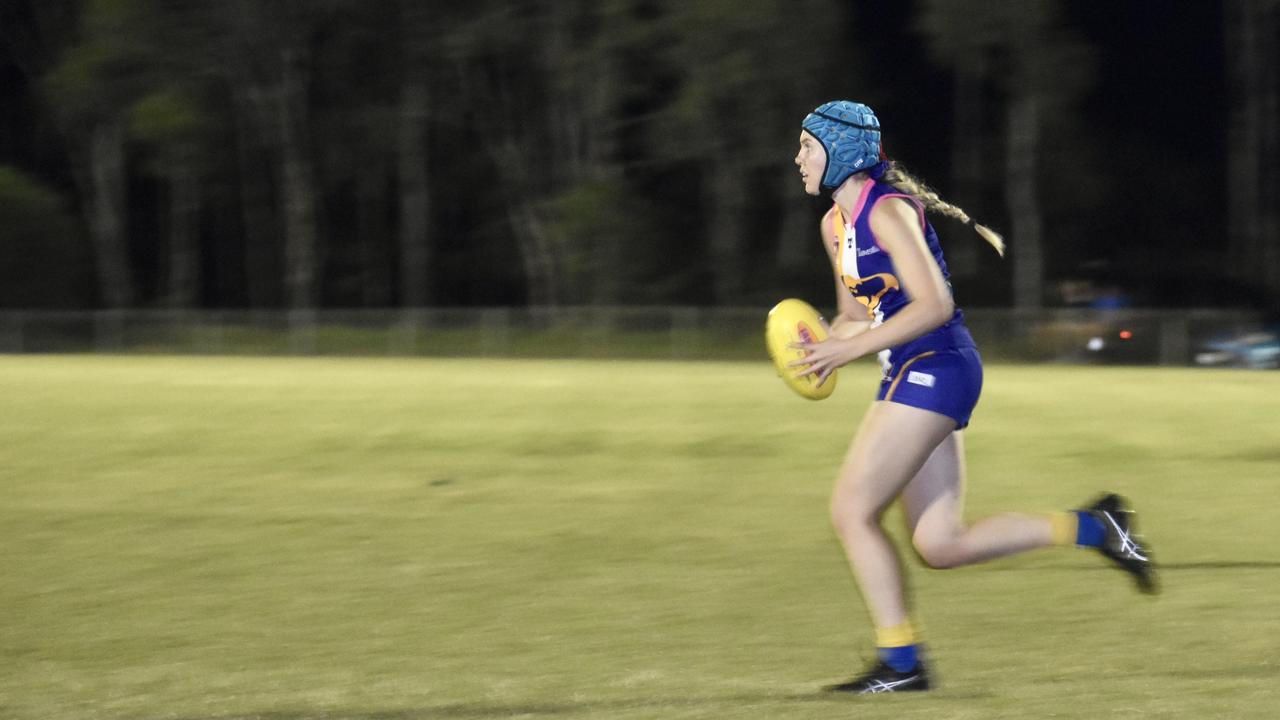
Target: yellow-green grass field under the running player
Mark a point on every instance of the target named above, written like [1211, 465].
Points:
[390, 540]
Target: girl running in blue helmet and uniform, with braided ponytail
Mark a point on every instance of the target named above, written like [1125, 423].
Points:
[895, 300]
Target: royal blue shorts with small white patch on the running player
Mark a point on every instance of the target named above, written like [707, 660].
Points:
[943, 381]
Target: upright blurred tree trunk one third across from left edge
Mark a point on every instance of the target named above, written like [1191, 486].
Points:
[415, 200]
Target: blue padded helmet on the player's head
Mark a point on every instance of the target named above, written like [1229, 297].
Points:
[851, 135]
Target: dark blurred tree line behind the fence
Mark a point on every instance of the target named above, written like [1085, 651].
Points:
[333, 153]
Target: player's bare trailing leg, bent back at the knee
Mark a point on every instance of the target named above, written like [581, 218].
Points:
[934, 503]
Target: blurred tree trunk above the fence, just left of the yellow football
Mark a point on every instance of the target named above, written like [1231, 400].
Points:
[726, 234]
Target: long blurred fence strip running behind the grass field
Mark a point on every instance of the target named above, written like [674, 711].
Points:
[1168, 338]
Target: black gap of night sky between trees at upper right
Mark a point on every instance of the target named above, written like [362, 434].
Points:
[1162, 101]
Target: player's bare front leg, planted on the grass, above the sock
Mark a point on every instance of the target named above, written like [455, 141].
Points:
[890, 449]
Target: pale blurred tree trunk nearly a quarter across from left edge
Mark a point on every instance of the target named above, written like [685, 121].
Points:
[299, 184]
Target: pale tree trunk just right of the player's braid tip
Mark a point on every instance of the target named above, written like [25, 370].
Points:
[1022, 197]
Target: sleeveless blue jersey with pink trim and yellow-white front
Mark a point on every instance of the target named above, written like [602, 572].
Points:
[868, 274]
